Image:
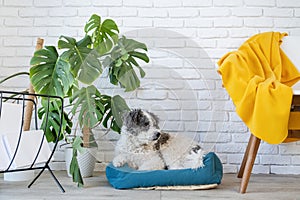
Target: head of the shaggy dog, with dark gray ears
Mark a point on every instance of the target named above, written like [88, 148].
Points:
[143, 125]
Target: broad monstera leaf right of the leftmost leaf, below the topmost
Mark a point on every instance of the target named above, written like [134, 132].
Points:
[85, 64]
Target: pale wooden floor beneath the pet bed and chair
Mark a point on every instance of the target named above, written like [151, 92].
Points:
[260, 187]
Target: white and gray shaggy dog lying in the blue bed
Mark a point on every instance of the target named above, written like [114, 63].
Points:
[143, 146]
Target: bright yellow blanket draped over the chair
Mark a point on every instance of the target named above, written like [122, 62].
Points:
[258, 77]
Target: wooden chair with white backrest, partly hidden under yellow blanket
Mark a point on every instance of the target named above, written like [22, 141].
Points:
[290, 46]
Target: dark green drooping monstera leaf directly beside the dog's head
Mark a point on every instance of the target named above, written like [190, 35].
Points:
[115, 107]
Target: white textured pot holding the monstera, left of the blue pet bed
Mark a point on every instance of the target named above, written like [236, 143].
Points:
[86, 161]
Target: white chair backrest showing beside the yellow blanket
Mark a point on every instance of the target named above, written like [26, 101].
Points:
[291, 47]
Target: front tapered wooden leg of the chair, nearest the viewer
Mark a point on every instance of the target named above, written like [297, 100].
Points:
[254, 145]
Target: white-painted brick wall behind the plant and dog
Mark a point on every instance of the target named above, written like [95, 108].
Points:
[185, 38]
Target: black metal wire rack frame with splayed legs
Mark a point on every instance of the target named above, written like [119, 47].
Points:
[23, 99]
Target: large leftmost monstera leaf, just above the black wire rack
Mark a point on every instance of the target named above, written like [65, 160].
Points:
[49, 73]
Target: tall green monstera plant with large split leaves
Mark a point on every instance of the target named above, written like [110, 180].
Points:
[69, 71]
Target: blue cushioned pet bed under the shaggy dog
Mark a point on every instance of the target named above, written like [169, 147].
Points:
[126, 177]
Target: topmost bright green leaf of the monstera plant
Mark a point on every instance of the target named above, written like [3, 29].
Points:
[104, 35]
